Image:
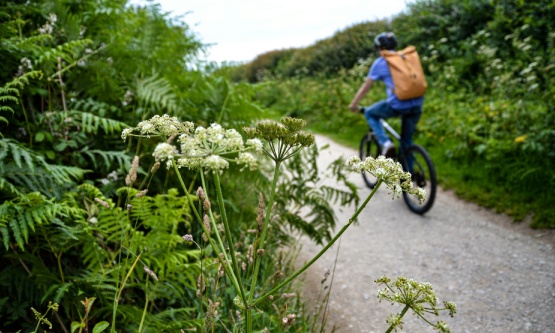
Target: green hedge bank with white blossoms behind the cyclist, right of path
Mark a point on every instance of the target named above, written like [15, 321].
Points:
[488, 118]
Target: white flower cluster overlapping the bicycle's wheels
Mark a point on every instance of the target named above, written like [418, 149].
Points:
[390, 173]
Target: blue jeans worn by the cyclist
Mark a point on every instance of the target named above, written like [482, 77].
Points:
[381, 109]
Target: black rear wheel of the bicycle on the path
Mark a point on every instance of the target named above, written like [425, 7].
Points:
[423, 175]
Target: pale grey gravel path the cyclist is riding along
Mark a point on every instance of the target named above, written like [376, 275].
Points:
[500, 274]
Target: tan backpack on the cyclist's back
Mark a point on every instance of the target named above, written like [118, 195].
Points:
[406, 71]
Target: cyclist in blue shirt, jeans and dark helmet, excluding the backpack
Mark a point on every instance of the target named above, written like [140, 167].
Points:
[410, 110]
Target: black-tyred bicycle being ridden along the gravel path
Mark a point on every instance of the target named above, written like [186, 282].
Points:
[423, 171]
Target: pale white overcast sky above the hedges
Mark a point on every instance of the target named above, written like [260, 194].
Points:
[240, 30]
